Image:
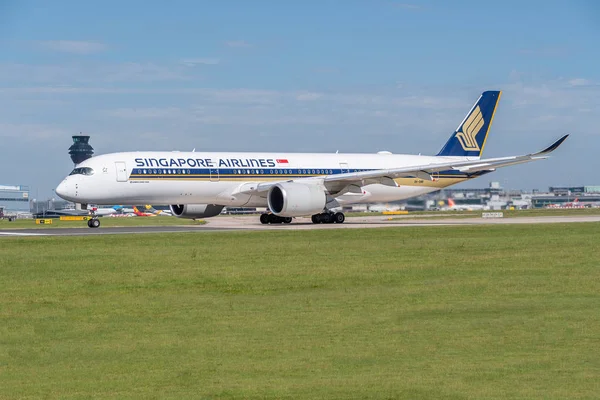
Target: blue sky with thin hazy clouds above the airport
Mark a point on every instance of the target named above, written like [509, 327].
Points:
[310, 76]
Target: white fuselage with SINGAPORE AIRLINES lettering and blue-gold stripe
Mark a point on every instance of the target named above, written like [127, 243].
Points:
[220, 178]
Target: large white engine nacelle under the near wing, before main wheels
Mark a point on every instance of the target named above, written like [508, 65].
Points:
[290, 199]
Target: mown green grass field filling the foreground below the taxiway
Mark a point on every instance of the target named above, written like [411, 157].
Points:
[490, 312]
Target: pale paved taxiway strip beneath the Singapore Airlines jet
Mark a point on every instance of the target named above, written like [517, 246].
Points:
[245, 223]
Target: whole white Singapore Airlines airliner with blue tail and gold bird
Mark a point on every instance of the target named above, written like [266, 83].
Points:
[199, 185]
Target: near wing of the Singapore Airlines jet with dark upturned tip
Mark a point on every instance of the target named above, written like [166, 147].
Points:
[336, 183]
